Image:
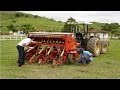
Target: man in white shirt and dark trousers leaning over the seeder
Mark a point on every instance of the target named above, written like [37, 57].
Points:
[24, 43]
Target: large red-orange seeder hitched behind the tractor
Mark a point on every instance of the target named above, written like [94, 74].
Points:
[57, 48]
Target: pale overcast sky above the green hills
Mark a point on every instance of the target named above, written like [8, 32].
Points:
[81, 16]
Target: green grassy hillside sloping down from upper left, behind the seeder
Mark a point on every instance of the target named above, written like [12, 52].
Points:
[40, 23]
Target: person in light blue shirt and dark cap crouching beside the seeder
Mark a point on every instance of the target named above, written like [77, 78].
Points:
[85, 56]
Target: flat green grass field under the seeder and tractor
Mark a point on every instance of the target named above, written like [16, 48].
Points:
[104, 66]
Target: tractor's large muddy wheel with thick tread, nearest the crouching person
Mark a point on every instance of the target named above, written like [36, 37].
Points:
[93, 45]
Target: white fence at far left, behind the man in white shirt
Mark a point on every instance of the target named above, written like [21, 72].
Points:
[12, 37]
